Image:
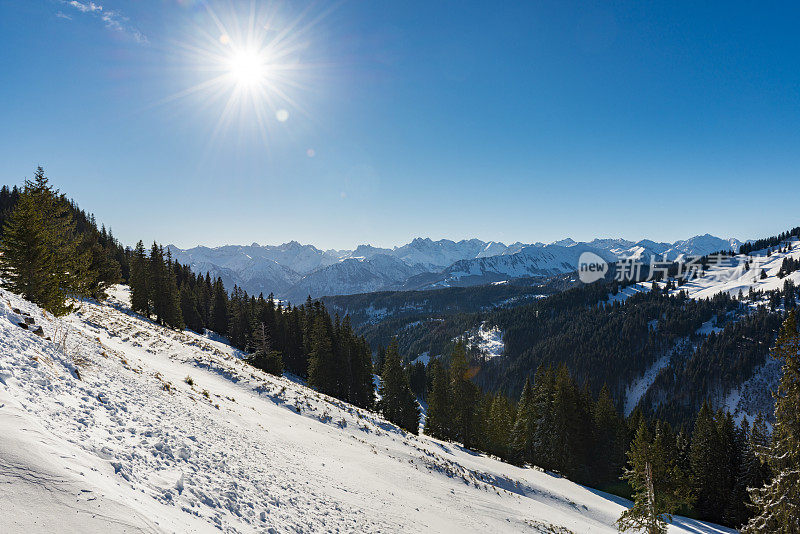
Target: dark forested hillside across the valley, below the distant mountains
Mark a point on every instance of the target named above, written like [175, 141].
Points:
[611, 336]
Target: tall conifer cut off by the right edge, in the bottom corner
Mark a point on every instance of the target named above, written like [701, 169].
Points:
[778, 502]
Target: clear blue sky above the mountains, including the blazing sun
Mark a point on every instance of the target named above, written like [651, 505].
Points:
[377, 121]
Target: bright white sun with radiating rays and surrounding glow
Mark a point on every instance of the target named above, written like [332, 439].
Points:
[250, 67]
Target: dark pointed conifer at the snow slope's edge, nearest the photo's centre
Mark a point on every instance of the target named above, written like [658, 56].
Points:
[397, 402]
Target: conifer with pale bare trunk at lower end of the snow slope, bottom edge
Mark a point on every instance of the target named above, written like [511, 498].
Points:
[658, 484]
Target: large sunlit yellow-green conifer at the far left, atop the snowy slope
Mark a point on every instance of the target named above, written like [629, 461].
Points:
[39, 255]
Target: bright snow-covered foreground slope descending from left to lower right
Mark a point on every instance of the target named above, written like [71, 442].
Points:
[120, 425]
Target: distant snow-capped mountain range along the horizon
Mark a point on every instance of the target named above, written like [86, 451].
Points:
[294, 271]
